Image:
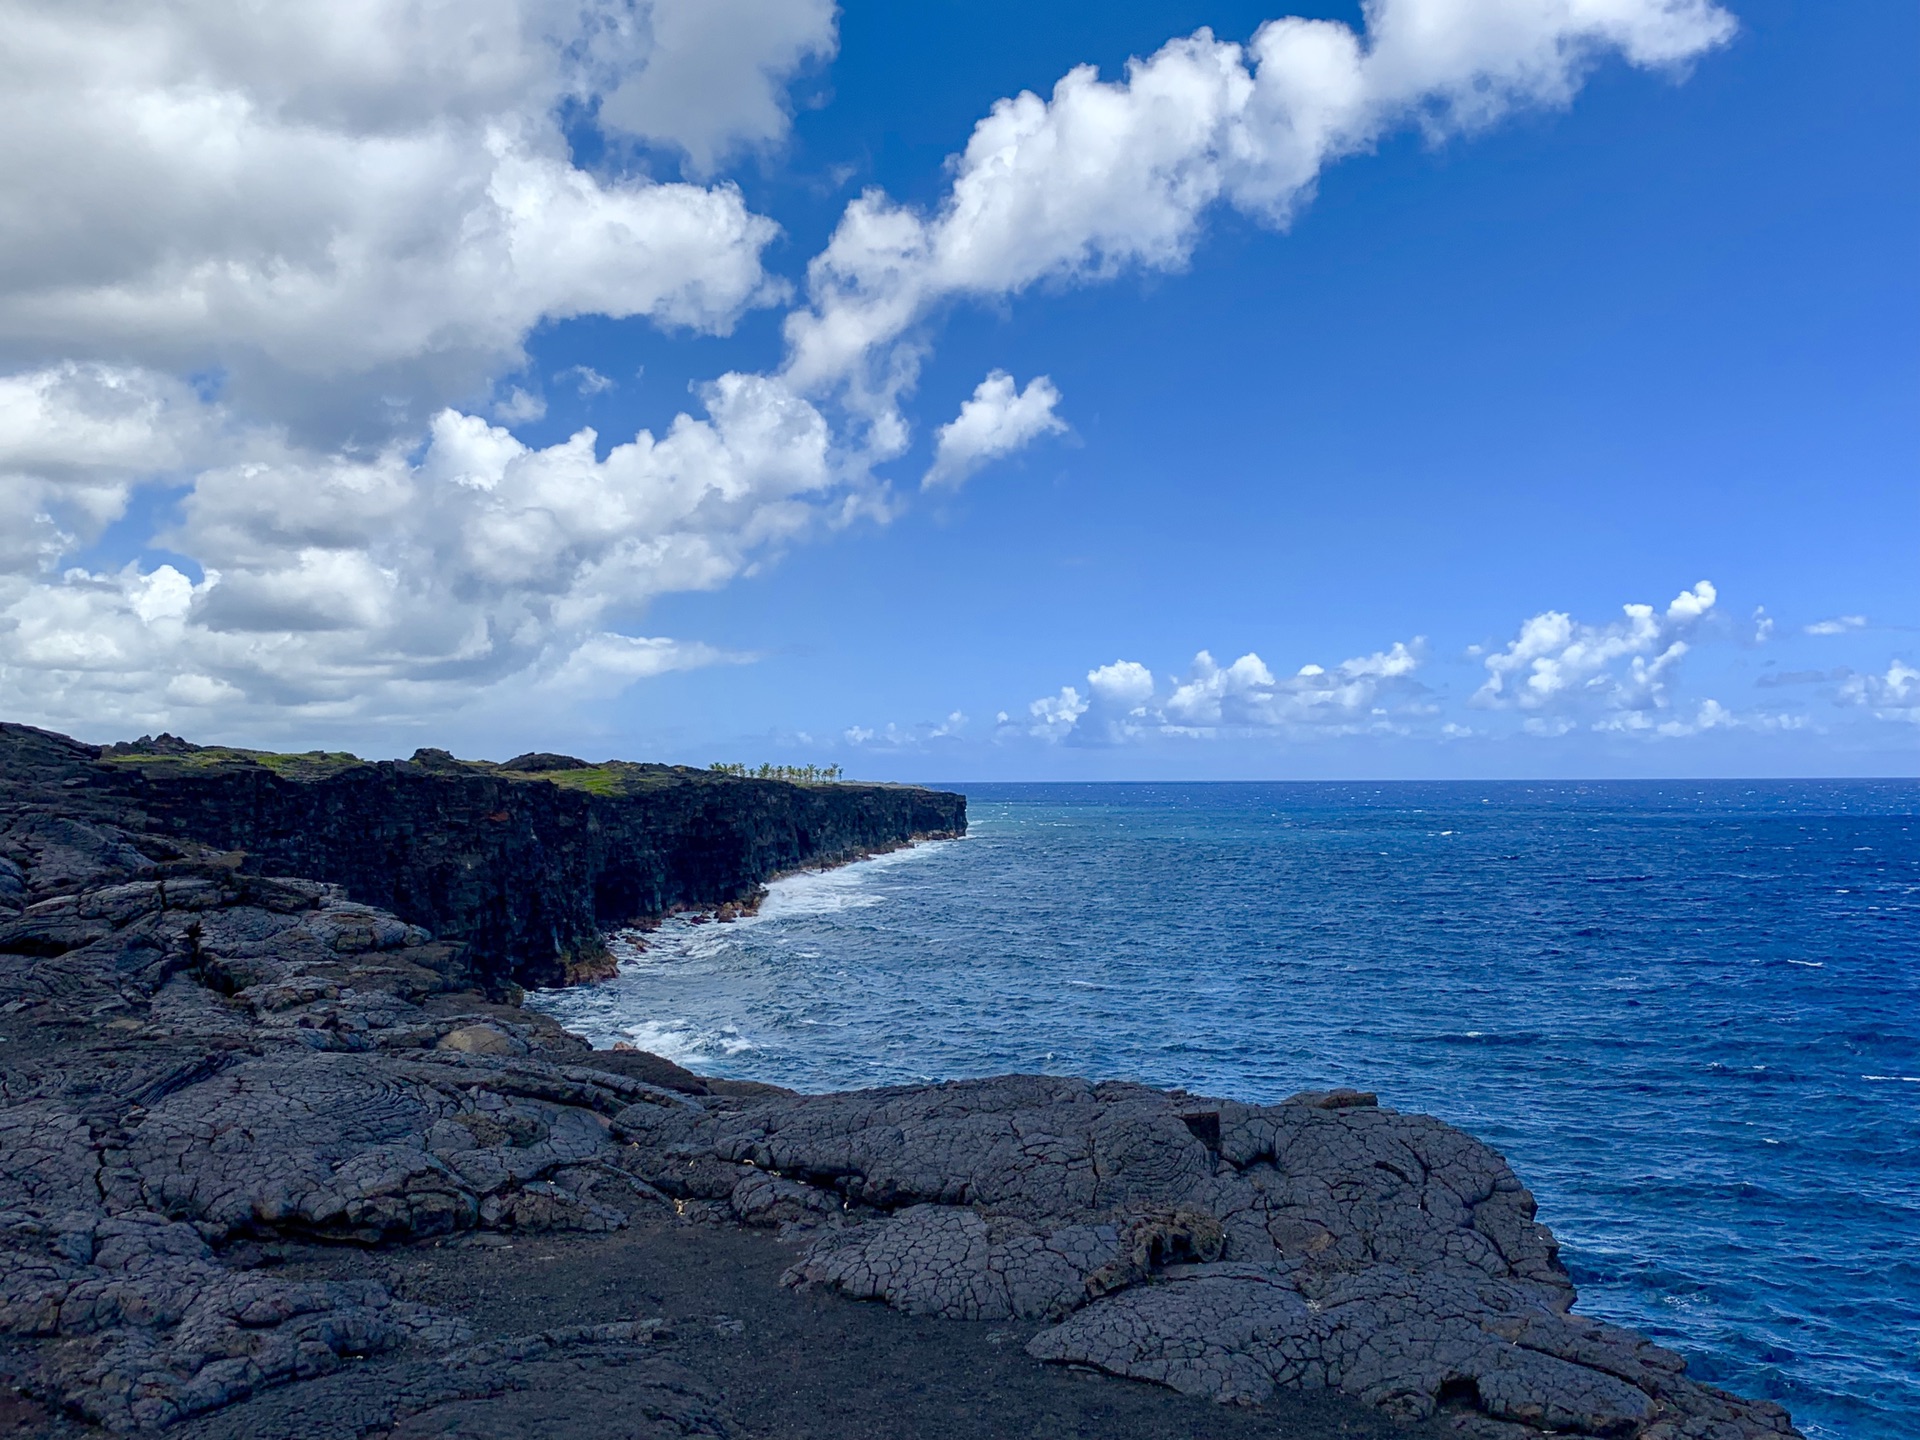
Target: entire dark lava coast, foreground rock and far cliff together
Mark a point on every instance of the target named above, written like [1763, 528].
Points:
[281, 1157]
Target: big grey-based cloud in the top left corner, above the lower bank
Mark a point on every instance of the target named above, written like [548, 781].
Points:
[341, 204]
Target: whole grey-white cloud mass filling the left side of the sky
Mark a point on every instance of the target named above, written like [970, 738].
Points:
[339, 220]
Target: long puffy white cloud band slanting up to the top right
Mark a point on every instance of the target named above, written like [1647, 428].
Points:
[1105, 178]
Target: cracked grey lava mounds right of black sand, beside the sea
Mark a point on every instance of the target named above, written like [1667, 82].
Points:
[1212, 1247]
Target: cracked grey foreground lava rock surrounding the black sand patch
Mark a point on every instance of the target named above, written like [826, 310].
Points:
[203, 1065]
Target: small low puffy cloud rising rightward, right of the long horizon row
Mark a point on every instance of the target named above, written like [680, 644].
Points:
[1562, 663]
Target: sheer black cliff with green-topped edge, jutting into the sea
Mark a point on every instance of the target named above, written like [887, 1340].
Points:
[527, 867]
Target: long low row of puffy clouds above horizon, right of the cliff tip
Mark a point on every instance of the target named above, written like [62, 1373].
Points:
[1124, 702]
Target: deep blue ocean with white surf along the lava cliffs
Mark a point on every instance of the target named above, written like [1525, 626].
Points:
[1687, 1013]
